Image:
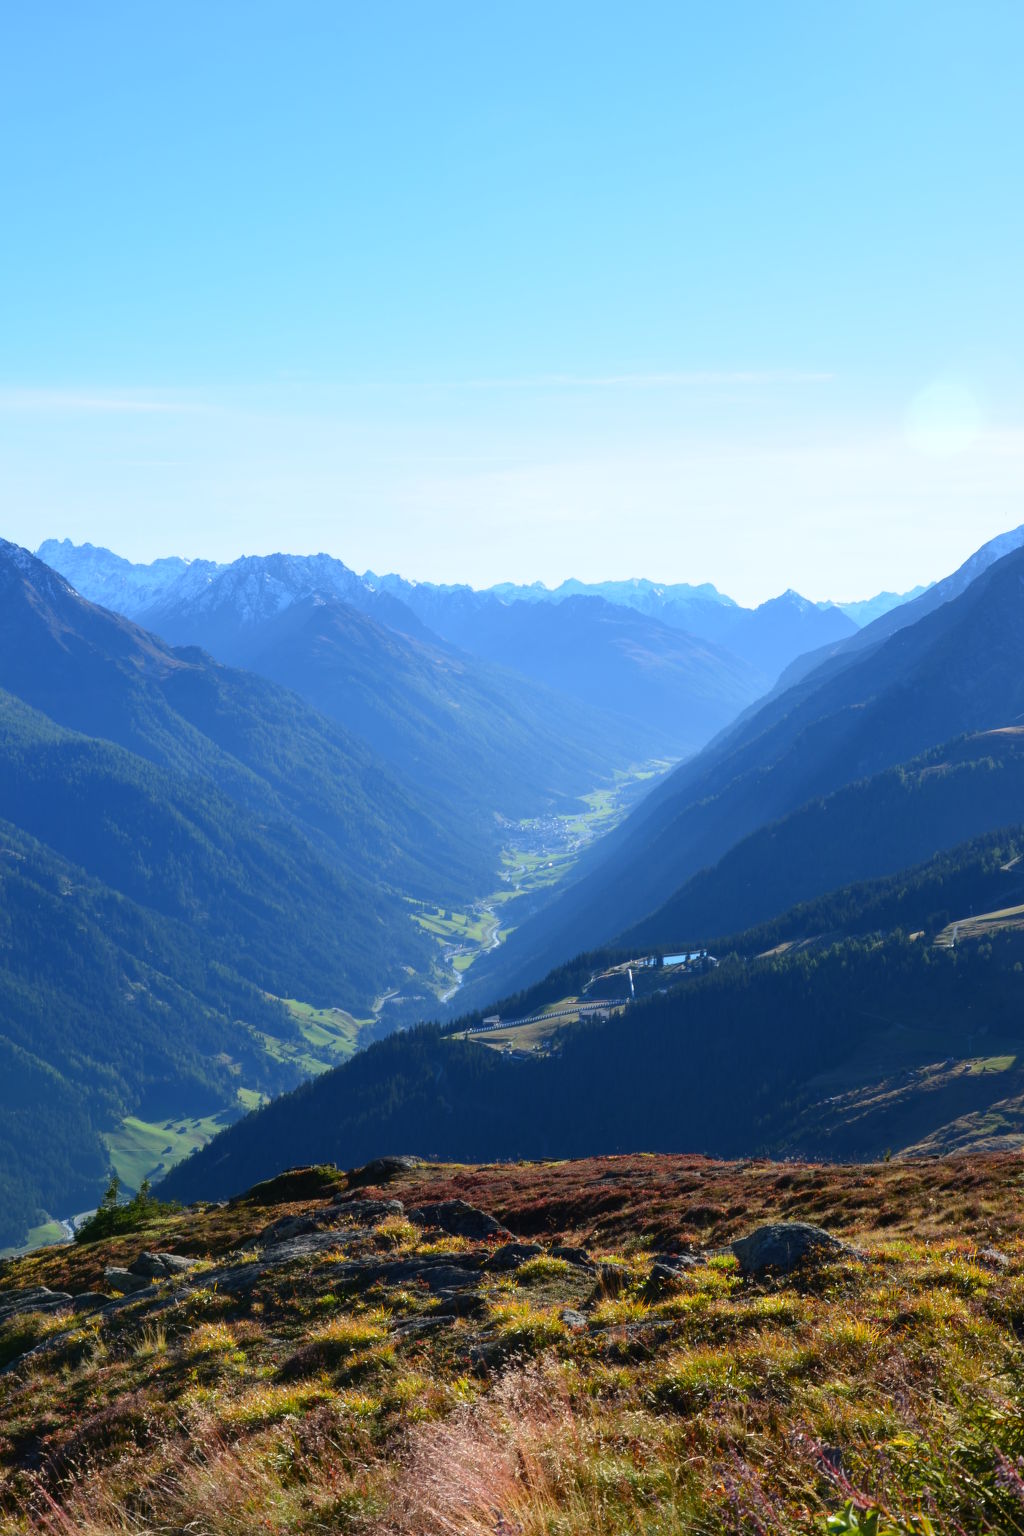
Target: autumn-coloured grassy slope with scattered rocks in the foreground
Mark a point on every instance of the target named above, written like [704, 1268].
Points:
[618, 1372]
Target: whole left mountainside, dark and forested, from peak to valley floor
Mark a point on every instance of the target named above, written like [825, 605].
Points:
[182, 846]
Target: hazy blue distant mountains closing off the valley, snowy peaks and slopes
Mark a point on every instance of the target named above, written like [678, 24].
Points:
[632, 687]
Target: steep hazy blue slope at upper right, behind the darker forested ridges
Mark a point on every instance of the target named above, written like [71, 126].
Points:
[957, 670]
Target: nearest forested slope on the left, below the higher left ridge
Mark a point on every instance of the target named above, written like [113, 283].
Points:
[150, 922]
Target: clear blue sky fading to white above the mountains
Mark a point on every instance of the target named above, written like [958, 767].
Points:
[507, 293]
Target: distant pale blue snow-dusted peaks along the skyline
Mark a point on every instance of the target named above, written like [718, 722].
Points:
[222, 606]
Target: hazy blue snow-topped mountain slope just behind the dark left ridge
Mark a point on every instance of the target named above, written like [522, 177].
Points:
[484, 741]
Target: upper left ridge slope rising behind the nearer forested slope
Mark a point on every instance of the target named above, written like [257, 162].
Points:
[97, 674]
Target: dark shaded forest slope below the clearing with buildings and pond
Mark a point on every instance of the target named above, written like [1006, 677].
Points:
[739, 1062]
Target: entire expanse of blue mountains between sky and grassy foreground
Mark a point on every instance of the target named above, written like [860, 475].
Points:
[246, 799]
